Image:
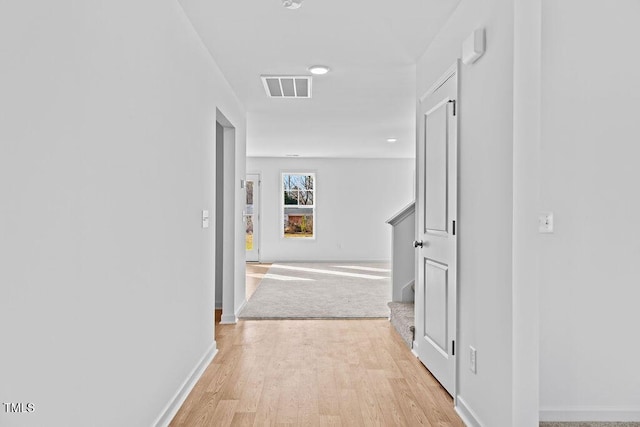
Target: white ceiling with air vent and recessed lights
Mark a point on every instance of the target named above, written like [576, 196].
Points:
[369, 95]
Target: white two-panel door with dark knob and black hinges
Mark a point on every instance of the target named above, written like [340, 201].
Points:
[436, 235]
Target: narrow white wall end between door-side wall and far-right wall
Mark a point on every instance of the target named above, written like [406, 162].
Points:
[526, 177]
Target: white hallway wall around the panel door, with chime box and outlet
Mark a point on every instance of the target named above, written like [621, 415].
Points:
[485, 203]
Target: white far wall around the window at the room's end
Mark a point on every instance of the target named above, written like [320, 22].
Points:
[354, 199]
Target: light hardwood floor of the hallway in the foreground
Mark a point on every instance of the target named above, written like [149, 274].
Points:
[315, 373]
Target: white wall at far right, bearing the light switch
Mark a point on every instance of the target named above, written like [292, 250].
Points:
[590, 175]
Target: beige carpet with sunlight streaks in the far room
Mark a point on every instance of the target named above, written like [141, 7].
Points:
[321, 291]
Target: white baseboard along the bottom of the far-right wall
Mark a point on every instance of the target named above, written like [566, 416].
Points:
[590, 413]
